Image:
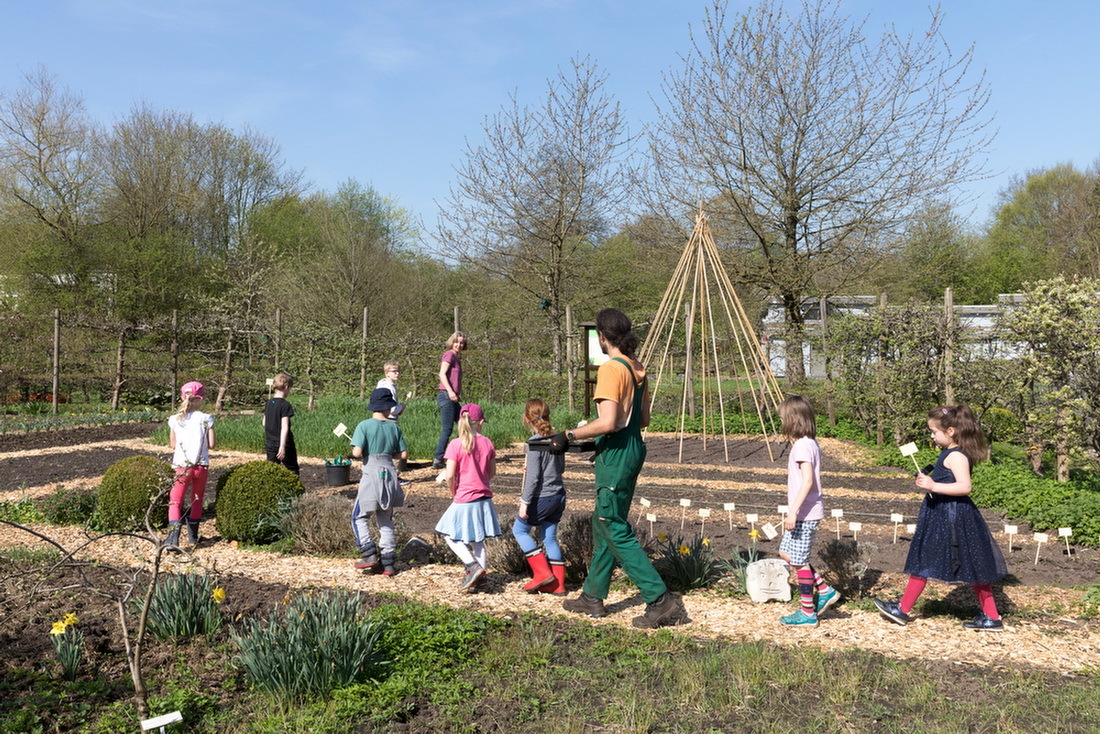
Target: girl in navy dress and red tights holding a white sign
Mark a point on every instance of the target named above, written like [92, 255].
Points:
[952, 542]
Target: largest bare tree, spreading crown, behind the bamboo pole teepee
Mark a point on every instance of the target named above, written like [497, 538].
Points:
[815, 141]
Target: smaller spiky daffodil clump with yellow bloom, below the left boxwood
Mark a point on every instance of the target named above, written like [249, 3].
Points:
[184, 606]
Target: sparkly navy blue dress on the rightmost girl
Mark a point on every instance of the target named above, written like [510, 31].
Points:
[952, 542]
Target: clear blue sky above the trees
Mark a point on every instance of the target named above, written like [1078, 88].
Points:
[388, 92]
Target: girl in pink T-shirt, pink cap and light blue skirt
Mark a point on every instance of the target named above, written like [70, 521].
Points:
[471, 464]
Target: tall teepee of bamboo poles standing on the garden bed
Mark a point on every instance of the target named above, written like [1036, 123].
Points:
[702, 332]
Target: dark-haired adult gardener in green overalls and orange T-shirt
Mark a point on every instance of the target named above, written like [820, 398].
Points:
[623, 411]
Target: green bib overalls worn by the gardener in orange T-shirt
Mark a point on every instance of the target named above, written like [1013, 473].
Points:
[620, 457]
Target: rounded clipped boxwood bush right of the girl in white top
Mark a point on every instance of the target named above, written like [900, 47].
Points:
[247, 496]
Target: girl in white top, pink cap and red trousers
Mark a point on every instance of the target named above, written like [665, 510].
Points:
[191, 439]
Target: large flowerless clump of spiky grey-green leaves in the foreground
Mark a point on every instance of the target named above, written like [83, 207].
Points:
[322, 642]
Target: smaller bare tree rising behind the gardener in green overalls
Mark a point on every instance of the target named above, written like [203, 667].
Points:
[544, 187]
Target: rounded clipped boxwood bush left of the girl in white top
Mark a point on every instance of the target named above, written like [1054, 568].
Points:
[128, 489]
